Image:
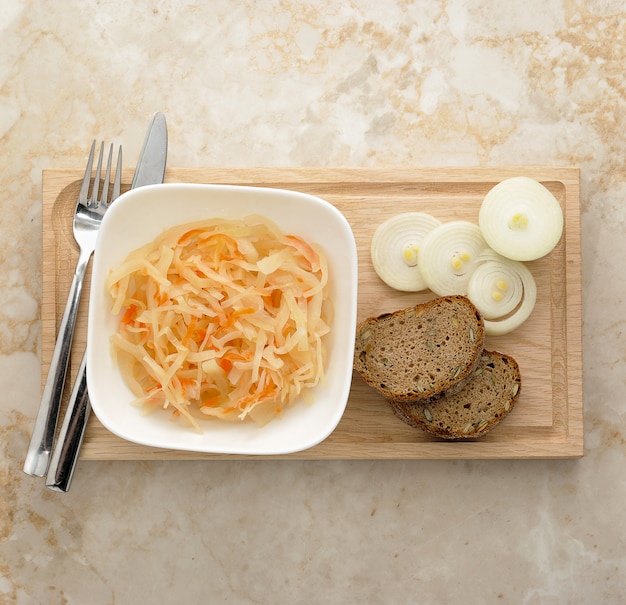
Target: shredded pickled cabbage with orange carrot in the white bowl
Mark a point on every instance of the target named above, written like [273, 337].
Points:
[223, 319]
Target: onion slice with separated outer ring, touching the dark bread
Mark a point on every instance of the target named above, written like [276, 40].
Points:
[504, 291]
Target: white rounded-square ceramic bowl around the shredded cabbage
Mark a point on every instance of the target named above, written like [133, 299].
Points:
[138, 217]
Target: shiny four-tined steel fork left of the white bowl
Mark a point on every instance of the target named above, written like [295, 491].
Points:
[87, 218]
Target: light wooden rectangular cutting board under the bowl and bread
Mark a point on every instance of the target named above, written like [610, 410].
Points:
[547, 421]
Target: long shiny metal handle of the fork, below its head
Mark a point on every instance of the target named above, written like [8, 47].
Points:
[38, 455]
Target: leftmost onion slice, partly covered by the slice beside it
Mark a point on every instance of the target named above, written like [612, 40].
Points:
[395, 248]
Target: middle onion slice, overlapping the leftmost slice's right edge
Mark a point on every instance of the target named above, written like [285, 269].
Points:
[448, 256]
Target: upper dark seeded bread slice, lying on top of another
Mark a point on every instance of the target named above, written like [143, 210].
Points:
[417, 353]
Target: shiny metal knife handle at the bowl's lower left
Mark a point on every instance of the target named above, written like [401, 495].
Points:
[65, 454]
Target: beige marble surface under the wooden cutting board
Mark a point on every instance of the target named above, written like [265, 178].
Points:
[330, 83]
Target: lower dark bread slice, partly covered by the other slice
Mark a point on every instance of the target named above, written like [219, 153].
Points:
[486, 399]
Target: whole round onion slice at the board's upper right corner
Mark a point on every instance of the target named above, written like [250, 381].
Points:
[521, 219]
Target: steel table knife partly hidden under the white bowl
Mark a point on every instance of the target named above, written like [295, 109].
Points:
[150, 171]
